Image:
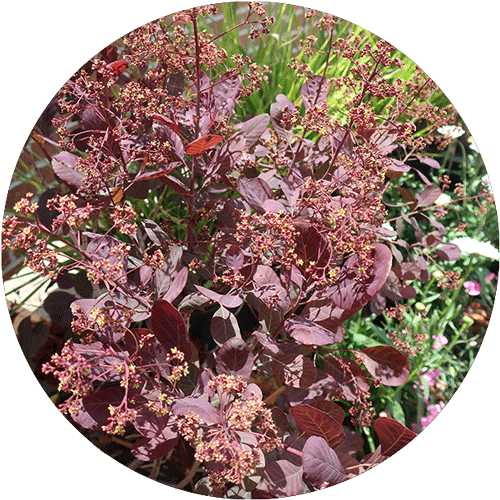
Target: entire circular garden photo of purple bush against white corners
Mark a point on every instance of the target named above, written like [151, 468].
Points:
[250, 250]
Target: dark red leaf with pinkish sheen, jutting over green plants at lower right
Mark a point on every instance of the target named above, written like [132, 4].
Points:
[386, 363]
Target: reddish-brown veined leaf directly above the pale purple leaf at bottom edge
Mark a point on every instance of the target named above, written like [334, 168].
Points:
[316, 422]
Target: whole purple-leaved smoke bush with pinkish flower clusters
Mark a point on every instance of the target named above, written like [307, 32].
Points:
[227, 252]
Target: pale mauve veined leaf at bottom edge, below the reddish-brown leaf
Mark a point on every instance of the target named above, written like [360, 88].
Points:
[321, 464]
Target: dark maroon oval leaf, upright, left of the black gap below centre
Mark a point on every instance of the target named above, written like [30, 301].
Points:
[169, 327]
